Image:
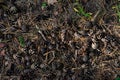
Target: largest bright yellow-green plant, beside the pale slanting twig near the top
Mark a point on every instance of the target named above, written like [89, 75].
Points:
[80, 10]
